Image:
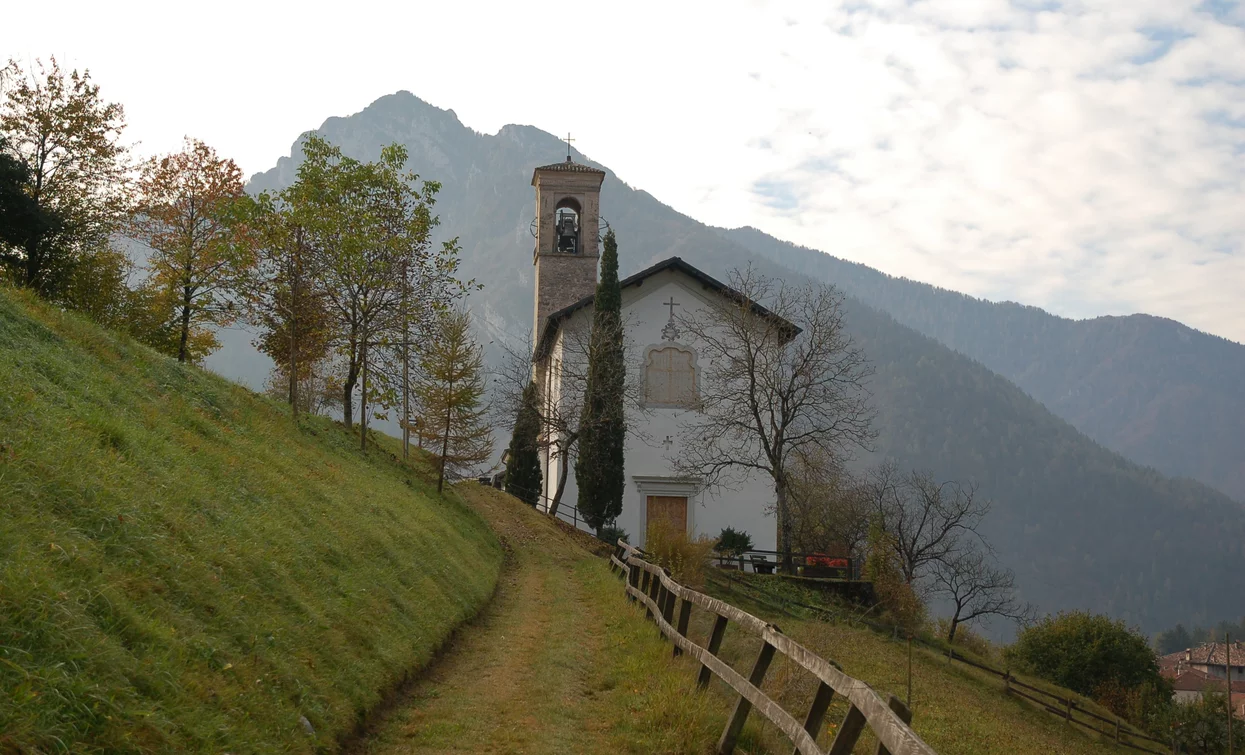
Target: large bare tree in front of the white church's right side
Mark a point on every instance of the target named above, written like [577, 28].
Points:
[780, 381]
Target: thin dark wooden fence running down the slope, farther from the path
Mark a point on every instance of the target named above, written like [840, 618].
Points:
[1066, 708]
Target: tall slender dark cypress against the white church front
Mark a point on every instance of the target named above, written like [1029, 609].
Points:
[603, 424]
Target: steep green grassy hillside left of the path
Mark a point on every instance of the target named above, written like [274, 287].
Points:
[184, 570]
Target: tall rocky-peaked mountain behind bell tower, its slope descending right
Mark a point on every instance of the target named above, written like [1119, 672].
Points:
[1083, 526]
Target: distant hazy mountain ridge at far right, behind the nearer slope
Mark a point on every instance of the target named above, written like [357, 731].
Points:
[1152, 389]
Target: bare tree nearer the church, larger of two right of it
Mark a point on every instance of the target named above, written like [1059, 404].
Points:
[931, 523]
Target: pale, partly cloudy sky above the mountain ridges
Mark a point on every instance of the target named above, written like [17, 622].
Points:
[1085, 158]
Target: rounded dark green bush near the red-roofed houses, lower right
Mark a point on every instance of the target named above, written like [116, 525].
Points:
[1086, 653]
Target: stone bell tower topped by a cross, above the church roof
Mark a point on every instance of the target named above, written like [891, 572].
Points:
[568, 212]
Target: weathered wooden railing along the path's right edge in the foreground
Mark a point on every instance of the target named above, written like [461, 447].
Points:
[660, 595]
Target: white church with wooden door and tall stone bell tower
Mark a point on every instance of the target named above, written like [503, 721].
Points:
[664, 371]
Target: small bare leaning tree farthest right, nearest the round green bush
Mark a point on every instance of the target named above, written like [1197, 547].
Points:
[977, 589]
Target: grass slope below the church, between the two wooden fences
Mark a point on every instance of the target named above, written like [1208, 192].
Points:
[956, 708]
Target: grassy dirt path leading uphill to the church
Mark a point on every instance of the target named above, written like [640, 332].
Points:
[558, 663]
